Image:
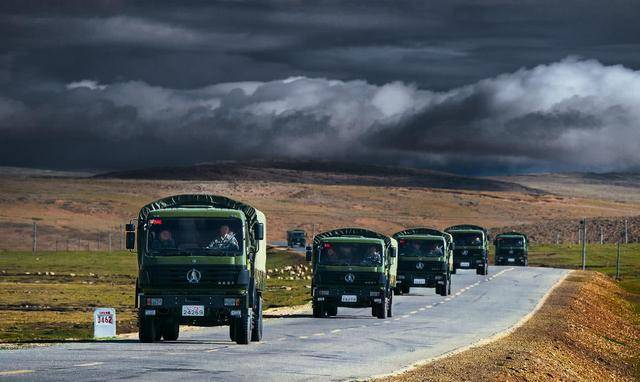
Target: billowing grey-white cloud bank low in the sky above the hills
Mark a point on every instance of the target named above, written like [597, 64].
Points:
[568, 115]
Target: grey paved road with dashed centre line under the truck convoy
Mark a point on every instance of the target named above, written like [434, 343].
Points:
[352, 345]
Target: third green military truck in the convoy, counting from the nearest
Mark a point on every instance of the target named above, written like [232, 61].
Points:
[425, 259]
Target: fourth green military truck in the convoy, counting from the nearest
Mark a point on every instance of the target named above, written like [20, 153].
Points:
[471, 248]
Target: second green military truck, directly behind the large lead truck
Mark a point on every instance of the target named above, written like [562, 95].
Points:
[353, 268]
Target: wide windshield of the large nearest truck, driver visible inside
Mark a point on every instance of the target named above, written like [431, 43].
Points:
[194, 236]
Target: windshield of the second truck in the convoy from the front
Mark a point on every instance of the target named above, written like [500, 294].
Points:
[351, 254]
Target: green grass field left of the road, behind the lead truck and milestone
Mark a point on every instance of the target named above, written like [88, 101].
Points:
[51, 295]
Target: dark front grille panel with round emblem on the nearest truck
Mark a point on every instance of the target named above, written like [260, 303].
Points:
[176, 276]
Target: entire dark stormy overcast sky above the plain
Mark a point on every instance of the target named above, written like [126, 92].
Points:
[490, 88]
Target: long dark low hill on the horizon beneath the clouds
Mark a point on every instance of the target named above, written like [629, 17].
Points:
[321, 172]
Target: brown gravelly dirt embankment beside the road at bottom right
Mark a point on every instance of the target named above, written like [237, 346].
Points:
[586, 331]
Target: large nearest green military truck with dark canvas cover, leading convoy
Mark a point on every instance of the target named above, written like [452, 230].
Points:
[201, 261]
